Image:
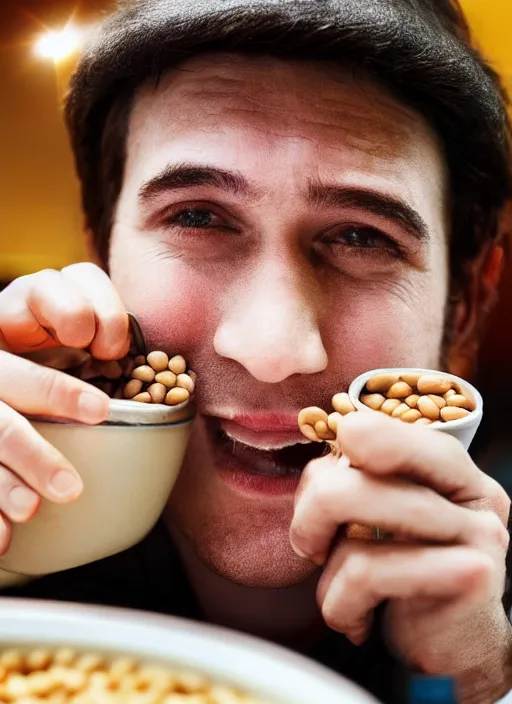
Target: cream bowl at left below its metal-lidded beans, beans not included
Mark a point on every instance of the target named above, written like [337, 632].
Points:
[128, 471]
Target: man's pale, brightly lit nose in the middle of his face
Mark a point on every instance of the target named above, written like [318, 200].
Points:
[270, 326]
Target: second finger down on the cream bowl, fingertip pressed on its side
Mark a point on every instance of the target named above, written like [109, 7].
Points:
[34, 460]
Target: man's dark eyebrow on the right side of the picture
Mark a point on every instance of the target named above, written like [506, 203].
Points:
[383, 205]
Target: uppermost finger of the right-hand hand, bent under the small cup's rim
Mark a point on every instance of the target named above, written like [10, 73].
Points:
[384, 446]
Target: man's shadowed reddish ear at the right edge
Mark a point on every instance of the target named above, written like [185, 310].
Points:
[471, 312]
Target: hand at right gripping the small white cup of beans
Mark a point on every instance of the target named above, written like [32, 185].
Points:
[444, 574]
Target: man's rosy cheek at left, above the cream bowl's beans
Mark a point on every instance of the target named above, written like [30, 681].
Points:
[173, 303]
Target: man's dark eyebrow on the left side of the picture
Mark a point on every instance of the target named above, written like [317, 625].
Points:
[177, 176]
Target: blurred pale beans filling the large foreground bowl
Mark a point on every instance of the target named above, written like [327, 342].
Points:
[89, 678]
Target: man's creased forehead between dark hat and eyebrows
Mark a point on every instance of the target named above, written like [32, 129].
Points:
[240, 112]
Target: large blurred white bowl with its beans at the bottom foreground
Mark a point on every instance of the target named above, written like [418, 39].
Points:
[63, 653]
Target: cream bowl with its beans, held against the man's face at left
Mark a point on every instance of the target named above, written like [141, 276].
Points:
[128, 464]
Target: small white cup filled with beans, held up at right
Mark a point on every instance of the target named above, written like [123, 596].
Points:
[439, 400]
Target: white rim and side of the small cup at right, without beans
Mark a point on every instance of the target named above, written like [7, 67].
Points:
[463, 429]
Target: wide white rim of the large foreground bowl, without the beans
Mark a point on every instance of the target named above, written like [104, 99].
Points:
[255, 666]
